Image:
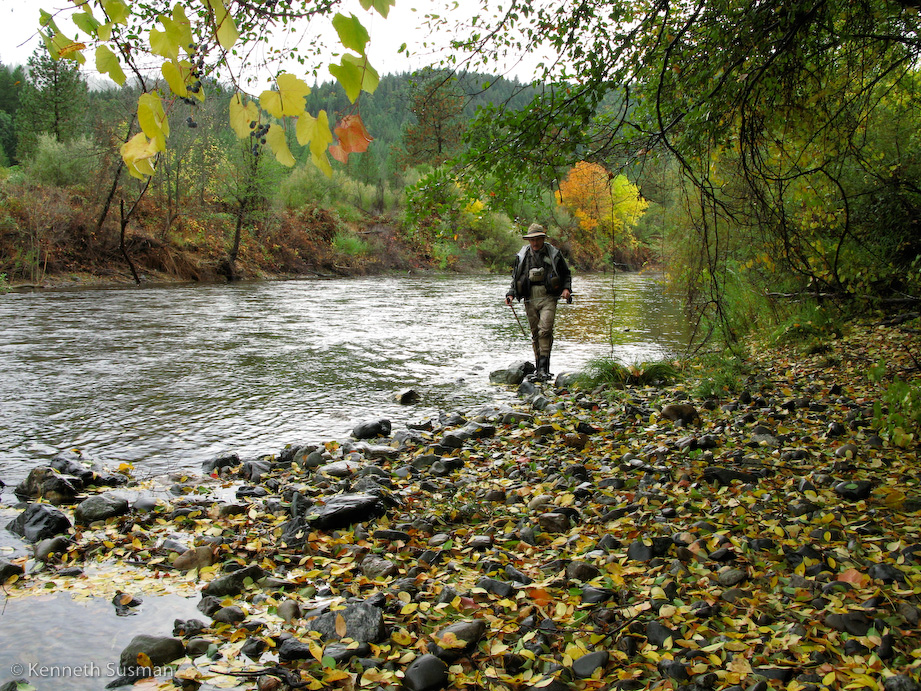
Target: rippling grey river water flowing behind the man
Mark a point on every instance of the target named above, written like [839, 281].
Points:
[167, 377]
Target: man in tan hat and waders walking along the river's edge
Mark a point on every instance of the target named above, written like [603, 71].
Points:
[540, 278]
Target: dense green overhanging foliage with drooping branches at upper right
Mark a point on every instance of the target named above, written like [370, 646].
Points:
[777, 140]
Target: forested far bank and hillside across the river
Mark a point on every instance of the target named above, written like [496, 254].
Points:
[219, 208]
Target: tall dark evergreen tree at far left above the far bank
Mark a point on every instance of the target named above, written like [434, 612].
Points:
[53, 101]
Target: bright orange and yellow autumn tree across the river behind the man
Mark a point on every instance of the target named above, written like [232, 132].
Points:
[606, 206]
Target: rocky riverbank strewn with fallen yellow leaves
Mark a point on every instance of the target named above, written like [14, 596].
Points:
[580, 540]
